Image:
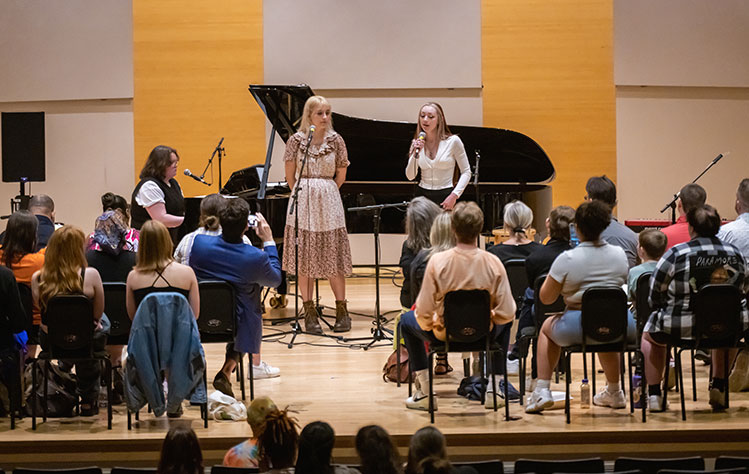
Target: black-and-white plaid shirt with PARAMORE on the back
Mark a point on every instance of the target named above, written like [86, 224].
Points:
[681, 272]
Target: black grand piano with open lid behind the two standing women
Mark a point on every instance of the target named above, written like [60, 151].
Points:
[510, 165]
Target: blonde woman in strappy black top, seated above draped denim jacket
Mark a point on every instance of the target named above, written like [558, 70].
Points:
[156, 271]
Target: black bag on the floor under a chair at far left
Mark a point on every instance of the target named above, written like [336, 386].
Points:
[61, 391]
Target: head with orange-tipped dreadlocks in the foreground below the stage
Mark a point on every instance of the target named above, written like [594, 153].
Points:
[278, 442]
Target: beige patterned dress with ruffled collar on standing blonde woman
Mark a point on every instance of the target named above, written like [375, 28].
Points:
[323, 242]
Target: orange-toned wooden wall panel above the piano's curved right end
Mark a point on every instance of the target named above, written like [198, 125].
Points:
[548, 73]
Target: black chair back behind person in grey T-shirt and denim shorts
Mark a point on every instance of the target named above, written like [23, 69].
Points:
[604, 315]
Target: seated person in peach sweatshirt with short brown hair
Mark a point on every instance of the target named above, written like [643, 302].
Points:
[463, 267]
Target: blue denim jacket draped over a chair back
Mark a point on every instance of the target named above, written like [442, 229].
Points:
[164, 338]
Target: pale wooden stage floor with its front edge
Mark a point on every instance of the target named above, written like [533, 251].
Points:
[325, 379]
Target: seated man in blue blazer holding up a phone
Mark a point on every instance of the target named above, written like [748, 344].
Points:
[247, 269]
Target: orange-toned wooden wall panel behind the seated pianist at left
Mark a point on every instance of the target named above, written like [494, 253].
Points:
[193, 61]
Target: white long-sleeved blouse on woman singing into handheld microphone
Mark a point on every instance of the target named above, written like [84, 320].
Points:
[437, 173]
